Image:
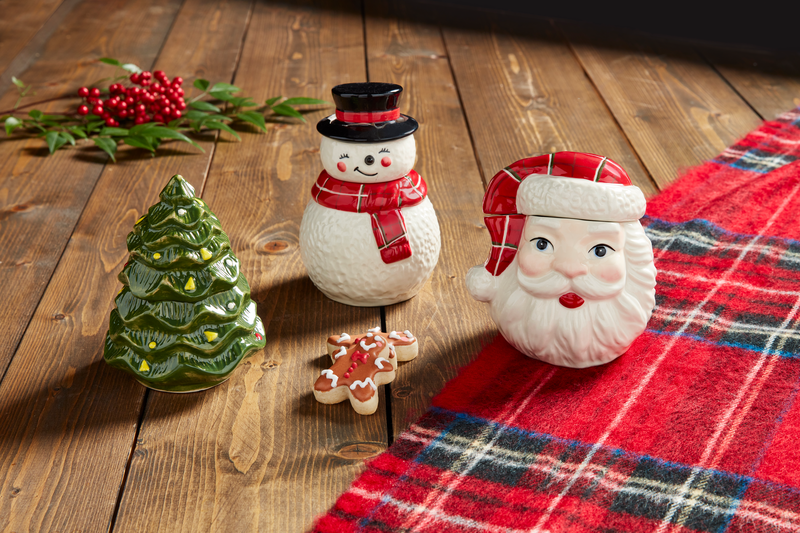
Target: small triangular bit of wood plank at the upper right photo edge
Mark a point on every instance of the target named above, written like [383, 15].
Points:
[768, 81]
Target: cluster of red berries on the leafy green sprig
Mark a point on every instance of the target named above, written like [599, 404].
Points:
[159, 101]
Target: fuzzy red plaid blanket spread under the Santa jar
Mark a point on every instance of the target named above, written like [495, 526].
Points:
[695, 428]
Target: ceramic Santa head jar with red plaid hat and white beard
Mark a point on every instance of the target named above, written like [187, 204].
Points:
[570, 279]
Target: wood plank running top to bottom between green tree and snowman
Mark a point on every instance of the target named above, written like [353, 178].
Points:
[259, 453]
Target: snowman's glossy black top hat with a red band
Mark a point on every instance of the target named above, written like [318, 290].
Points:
[367, 112]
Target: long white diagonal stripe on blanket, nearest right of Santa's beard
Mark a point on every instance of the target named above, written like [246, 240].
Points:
[651, 371]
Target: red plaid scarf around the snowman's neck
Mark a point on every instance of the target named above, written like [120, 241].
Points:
[382, 201]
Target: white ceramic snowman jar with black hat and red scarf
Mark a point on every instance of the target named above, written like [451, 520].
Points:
[369, 235]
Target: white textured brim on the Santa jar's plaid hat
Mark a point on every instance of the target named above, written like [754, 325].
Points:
[553, 196]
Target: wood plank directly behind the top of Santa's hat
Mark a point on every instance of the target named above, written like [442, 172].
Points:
[525, 94]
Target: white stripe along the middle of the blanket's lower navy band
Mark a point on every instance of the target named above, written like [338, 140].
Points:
[616, 482]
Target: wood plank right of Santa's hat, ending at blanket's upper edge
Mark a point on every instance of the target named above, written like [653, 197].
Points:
[675, 109]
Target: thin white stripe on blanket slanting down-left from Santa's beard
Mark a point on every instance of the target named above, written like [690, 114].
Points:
[456, 476]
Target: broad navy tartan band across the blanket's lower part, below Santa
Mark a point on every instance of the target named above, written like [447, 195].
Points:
[617, 479]
